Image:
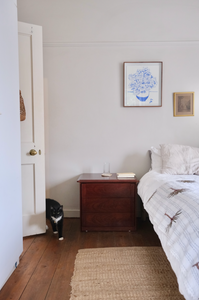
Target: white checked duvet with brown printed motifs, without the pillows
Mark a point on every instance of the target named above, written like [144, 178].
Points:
[179, 237]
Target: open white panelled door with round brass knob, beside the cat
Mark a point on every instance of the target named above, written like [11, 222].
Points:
[32, 128]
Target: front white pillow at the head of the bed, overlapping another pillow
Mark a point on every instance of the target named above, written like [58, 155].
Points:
[179, 159]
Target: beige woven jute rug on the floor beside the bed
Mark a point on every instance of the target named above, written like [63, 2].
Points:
[136, 273]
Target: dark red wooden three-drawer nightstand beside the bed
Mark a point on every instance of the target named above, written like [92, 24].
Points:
[107, 203]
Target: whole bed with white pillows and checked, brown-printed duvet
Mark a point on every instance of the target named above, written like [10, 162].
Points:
[170, 195]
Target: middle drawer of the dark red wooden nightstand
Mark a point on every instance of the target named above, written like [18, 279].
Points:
[103, 205]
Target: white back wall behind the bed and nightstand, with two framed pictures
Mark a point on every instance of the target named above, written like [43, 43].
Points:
[85, 45]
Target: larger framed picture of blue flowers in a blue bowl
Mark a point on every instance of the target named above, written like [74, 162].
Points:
[143, 84]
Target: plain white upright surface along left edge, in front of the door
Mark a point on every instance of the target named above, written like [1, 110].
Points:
[10, 155]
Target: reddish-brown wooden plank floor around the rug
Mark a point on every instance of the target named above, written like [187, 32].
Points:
[46, 264]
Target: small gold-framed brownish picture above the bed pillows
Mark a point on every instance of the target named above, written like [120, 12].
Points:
[183, 104]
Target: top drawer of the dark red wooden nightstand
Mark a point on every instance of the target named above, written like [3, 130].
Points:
[94, 190]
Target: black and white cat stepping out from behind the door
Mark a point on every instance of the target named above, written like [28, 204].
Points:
[54, 213]
